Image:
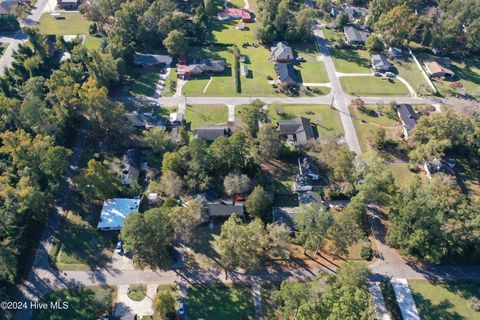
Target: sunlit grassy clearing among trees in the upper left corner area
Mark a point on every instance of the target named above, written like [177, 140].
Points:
[73, 24]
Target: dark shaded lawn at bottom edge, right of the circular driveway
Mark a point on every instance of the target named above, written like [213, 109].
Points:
[219, 303]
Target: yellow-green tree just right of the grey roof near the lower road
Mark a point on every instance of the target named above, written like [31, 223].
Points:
[312, 223]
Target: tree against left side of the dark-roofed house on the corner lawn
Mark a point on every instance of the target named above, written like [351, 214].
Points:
[269, 144]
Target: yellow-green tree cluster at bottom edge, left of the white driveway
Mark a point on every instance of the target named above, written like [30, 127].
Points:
[341, 296]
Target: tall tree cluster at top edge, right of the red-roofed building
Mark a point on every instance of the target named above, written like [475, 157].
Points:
[282, 21]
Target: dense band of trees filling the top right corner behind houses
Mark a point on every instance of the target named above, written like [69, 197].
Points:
[447, 24]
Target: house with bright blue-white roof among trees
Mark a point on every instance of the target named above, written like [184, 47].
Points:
[114, 212]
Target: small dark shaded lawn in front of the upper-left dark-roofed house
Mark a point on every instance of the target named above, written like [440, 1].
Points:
[143, 80]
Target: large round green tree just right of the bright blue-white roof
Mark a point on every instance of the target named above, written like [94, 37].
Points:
[148, 237]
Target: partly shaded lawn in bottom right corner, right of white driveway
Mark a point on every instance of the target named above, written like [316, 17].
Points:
[444, 300]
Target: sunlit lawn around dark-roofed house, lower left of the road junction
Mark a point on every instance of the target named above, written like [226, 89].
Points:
[325, 118]
